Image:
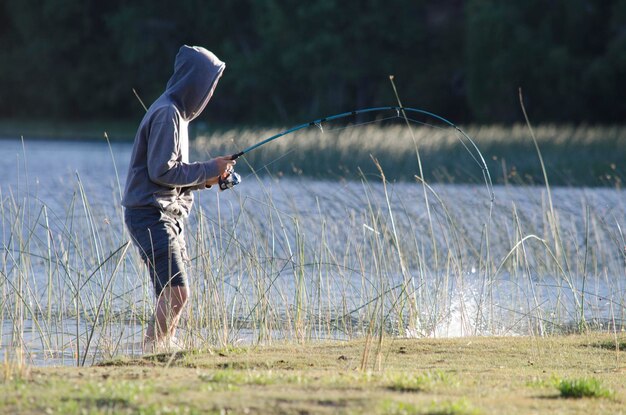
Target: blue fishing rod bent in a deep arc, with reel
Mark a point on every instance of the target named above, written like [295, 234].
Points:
[401, 112]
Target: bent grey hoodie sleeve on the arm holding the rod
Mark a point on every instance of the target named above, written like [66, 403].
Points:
[165, 161]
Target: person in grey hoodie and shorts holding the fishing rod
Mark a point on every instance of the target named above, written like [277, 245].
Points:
[159, 186]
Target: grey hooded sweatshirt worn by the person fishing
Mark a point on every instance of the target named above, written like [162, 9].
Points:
[160, 174]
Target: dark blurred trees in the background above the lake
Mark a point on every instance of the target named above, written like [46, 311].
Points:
[289, 60]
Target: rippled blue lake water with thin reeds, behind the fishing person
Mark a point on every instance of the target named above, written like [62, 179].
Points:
[297, 258]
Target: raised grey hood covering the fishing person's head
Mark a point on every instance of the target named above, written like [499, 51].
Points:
[196, 72]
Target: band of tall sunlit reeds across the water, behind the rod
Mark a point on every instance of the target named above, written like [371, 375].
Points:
[574, 155]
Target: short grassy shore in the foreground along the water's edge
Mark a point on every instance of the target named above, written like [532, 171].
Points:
[473, 375]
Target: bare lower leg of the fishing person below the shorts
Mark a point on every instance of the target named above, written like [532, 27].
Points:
[167, 313]
